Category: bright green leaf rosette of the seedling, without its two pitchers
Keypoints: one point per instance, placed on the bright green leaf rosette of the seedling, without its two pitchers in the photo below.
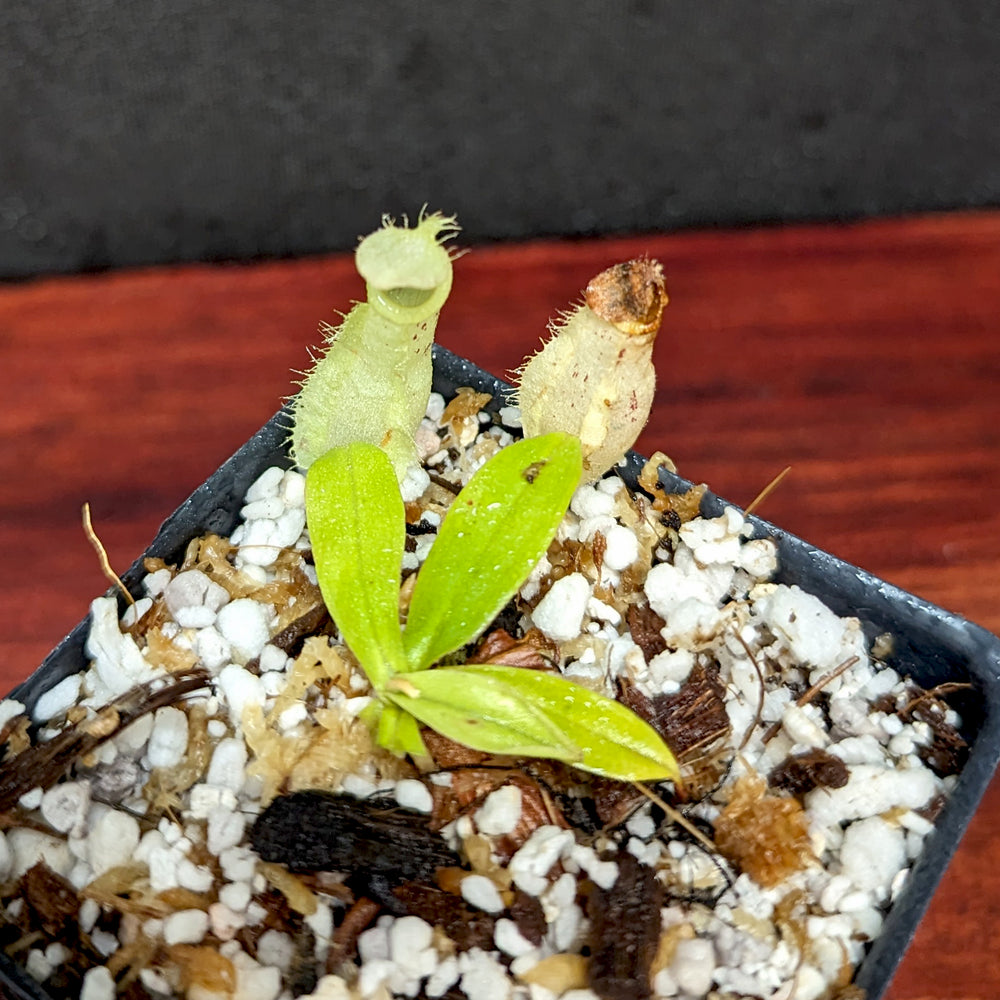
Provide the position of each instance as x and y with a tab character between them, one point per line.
496	529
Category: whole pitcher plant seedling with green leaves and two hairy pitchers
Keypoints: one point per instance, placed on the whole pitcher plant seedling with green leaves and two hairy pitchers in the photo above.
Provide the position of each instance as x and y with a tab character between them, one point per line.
354	423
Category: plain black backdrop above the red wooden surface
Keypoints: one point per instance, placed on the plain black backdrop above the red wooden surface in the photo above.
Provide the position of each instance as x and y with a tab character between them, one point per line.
134	133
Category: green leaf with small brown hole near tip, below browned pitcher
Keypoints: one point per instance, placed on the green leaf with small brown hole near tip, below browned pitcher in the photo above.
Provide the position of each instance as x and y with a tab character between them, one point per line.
495	531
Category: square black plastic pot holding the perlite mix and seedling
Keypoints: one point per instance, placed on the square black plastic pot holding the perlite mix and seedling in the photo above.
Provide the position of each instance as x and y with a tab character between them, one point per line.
932	645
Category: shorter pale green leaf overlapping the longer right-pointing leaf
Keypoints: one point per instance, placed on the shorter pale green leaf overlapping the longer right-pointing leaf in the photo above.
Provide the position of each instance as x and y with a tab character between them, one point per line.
481	712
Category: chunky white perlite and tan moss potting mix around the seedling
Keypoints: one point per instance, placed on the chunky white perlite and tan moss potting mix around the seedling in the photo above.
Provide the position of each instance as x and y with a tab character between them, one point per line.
266	710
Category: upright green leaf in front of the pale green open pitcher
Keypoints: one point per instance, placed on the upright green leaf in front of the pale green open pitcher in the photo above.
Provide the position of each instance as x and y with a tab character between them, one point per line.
357	527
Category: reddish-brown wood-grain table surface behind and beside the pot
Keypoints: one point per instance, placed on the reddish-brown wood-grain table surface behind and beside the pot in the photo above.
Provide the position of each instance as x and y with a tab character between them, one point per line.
866	356
